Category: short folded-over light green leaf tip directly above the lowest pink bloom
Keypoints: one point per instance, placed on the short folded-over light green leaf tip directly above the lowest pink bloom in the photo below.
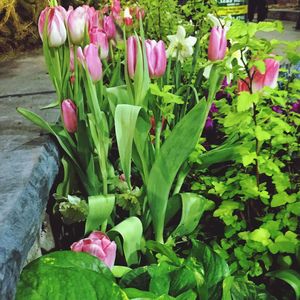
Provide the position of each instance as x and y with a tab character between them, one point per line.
100	208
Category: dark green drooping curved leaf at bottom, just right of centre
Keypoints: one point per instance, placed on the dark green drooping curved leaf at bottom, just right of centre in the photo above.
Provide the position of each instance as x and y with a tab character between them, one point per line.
215	267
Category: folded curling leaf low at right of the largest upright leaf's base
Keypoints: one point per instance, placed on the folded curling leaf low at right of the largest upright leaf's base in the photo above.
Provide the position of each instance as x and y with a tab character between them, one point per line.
193	206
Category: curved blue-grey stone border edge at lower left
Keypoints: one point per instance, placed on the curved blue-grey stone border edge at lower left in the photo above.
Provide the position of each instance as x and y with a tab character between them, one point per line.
26	177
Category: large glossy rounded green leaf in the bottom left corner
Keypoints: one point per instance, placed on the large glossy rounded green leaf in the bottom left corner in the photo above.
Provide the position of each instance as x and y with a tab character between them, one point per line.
68	275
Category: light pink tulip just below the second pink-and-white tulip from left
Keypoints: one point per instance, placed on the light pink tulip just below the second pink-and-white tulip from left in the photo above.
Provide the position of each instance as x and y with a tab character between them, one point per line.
91	60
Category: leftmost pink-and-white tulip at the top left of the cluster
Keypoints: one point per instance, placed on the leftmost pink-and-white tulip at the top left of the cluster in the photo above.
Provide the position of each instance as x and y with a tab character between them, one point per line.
56	31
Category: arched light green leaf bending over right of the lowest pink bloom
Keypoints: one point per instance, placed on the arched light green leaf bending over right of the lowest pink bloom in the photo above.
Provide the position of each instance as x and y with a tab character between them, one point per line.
131	230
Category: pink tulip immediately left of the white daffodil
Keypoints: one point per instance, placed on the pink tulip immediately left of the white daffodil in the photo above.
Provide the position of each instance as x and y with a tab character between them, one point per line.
157	58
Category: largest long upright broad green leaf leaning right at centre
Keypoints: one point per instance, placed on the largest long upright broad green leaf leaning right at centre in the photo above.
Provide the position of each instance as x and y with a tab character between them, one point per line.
173	154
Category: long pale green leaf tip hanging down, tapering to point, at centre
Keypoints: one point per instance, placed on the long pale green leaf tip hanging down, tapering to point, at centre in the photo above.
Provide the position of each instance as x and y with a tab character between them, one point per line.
125	124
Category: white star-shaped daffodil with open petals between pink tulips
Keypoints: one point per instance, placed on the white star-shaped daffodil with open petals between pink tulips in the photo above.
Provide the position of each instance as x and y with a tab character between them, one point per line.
180	45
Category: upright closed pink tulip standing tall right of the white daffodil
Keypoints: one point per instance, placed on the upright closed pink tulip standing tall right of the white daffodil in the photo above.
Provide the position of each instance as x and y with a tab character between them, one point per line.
217	44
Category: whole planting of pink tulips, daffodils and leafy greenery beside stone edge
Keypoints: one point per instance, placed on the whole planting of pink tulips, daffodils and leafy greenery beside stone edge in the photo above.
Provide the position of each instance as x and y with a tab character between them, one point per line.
179	157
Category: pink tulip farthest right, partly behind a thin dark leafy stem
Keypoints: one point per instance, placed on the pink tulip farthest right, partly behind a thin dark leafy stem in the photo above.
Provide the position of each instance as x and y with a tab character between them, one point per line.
268	78
